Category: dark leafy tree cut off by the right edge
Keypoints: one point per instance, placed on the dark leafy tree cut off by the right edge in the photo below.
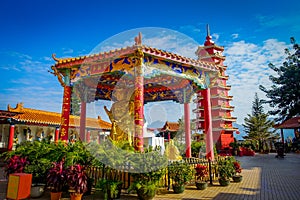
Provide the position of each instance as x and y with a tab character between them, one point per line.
284	95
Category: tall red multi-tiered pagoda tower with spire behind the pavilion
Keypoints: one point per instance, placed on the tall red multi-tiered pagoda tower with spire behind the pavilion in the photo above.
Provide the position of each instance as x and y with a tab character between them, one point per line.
221	109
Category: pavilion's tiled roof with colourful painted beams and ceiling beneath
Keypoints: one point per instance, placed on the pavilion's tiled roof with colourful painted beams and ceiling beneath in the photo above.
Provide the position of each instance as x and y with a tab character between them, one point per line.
167	76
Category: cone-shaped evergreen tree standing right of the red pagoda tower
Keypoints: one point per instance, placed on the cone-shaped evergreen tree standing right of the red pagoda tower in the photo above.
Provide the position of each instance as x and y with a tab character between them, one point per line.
257	125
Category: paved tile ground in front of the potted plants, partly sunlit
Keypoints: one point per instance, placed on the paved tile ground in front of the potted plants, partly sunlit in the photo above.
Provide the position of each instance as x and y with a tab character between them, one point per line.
264	177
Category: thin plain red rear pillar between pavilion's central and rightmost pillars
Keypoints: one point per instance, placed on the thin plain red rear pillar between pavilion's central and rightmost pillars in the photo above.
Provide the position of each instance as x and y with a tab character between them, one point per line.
187	127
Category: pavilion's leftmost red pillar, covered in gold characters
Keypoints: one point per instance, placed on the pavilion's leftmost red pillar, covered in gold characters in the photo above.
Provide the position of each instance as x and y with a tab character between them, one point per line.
65	115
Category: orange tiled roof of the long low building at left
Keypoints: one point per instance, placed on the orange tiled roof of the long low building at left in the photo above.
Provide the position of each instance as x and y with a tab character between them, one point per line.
41	117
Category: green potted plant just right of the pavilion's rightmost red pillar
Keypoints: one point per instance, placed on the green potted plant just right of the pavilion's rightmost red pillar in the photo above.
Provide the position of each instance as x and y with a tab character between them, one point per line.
226	170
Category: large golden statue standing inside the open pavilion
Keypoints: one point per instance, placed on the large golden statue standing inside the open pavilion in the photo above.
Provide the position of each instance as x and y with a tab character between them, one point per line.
121	115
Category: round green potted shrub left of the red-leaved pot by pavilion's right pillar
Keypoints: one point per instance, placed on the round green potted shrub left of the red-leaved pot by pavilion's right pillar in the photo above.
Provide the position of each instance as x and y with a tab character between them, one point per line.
180	172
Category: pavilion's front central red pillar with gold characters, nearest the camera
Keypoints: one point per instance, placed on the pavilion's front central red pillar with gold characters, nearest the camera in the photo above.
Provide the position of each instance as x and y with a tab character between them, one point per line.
139	104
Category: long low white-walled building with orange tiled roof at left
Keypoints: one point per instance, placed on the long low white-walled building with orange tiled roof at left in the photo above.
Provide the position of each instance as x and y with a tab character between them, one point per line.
28	124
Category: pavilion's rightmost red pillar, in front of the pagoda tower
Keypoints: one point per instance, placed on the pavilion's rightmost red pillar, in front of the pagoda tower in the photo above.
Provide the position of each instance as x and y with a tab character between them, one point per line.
208	124
